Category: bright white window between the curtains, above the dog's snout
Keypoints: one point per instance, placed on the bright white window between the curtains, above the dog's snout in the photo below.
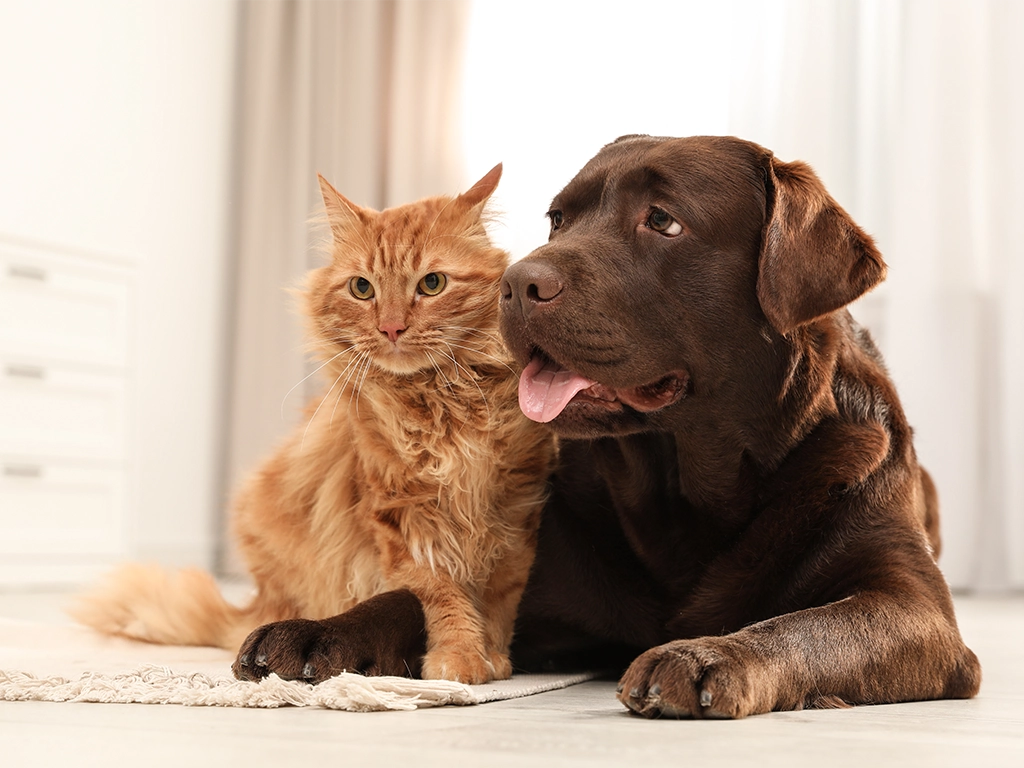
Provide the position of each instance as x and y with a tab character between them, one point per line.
547	84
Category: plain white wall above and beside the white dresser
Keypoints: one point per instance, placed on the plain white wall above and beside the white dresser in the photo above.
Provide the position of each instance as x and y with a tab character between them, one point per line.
115	138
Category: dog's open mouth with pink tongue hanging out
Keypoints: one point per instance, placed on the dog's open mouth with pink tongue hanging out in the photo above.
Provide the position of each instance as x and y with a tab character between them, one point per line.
546	389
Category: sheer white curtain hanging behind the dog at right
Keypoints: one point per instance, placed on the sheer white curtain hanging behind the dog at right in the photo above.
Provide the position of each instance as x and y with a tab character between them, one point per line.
913	112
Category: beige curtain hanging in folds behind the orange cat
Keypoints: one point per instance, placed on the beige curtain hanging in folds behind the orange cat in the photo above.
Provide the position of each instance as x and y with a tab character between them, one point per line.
364	92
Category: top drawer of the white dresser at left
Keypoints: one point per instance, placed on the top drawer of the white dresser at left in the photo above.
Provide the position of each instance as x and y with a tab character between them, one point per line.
53	308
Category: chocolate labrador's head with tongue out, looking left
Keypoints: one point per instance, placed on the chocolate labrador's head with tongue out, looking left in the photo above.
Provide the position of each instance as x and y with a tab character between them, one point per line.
673	267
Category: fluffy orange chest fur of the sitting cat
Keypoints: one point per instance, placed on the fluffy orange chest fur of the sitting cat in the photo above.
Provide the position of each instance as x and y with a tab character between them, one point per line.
432	461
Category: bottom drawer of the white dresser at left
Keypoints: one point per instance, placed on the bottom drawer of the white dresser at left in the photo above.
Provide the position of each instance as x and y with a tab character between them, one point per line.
48	508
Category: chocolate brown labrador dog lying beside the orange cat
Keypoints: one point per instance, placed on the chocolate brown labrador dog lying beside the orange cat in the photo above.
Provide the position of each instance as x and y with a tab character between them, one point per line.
739	509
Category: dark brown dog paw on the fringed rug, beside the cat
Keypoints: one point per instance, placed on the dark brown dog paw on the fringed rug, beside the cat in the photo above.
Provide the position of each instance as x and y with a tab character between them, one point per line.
385	635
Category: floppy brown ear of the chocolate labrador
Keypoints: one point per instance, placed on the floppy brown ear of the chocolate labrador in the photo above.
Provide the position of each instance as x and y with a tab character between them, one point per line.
815	260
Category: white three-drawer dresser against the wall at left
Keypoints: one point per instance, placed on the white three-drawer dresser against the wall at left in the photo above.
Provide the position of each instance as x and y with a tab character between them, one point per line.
65	414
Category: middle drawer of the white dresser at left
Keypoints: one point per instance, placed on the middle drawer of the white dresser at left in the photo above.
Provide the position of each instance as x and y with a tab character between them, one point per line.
57	411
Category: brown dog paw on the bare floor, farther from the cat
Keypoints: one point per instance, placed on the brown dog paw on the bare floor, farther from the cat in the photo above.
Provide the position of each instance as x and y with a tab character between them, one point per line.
704	678
